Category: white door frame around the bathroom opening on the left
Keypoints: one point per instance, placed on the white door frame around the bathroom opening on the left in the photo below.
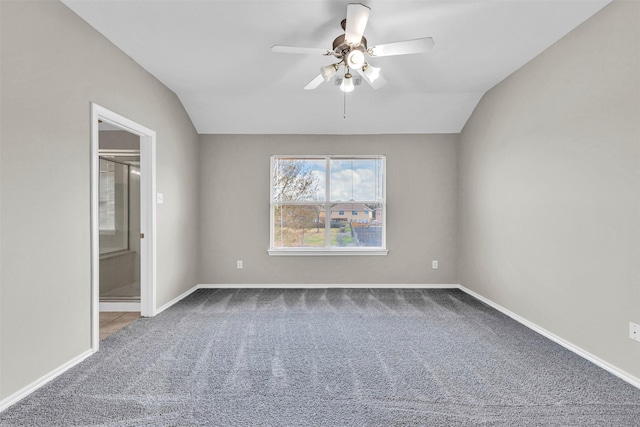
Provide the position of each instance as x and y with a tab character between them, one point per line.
147	215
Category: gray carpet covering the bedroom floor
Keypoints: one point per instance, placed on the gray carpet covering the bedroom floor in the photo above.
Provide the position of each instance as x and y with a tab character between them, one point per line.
330	357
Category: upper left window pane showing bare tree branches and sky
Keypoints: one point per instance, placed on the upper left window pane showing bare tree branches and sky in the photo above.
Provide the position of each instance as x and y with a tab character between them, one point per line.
299	180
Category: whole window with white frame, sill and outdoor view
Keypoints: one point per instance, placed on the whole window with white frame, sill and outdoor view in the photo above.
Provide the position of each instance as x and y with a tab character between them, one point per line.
310	196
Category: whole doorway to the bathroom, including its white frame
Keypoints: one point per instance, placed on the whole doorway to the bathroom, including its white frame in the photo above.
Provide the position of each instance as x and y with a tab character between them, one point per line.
123	217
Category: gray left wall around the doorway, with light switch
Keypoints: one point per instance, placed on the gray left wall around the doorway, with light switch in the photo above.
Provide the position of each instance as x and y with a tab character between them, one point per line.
53	66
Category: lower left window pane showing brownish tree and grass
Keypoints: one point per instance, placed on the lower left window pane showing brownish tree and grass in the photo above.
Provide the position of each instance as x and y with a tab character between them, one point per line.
298	226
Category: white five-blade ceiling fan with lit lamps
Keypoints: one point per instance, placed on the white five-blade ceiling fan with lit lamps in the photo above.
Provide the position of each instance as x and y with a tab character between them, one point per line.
351	48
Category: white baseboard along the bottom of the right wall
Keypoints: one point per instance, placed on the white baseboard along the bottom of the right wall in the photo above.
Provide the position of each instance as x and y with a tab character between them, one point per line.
558	340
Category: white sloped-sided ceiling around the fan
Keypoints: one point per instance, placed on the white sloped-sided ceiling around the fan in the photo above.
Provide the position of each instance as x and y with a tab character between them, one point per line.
215	55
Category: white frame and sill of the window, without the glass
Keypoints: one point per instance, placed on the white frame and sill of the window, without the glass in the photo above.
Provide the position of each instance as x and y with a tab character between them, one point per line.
328	250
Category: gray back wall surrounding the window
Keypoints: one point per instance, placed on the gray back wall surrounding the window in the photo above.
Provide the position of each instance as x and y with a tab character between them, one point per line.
421	211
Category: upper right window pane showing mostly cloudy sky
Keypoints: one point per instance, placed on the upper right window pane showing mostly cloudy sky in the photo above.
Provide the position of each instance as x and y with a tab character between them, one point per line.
356	179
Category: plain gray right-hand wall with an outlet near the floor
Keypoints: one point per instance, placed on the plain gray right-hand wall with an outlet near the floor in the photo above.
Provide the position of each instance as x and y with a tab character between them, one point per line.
550	189
